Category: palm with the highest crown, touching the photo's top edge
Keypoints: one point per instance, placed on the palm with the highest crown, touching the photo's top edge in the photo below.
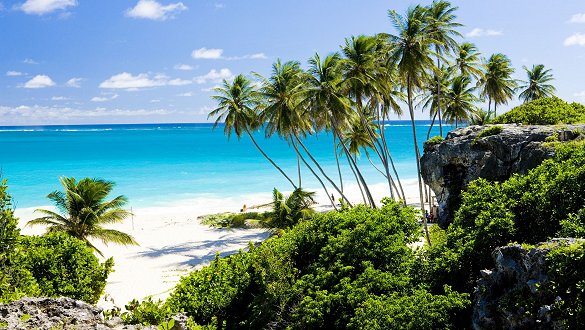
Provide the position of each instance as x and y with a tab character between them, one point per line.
442	28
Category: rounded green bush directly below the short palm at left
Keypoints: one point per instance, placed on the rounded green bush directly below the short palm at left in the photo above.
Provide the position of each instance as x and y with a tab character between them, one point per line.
64	266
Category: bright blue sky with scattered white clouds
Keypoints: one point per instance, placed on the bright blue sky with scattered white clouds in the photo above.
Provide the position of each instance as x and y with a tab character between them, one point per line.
131	61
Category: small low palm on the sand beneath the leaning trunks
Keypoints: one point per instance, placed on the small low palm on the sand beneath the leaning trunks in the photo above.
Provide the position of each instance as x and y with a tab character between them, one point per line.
290	210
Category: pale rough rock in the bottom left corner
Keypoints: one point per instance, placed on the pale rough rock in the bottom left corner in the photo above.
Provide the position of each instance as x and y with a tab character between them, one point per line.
65	313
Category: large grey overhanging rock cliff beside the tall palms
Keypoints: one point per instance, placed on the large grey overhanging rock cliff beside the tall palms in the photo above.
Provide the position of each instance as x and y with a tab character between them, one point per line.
465	155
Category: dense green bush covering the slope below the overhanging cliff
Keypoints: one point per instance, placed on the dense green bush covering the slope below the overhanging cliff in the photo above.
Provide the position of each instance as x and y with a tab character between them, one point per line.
526	209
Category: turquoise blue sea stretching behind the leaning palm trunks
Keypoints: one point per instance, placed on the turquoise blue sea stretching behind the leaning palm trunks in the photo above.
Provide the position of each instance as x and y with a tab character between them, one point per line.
164	164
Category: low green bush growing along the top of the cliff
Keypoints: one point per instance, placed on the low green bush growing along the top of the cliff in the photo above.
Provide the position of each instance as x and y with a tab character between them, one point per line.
544	111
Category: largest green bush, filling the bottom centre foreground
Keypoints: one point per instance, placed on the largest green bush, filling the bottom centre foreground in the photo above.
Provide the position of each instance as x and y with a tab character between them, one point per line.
328	273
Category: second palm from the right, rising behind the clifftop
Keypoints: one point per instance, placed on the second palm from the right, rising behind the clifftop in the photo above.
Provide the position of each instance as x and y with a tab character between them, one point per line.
497	83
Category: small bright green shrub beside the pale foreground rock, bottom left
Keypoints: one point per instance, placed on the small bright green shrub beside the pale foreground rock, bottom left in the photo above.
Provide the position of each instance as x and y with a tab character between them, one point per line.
147	312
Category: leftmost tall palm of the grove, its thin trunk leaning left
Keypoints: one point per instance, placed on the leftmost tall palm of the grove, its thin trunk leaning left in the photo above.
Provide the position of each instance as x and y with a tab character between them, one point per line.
237	108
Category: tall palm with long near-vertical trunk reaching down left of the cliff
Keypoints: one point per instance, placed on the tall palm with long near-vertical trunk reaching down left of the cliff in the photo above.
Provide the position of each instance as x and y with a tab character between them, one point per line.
413	58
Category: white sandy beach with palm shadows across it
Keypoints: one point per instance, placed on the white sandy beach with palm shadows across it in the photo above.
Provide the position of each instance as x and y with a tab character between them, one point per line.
173	242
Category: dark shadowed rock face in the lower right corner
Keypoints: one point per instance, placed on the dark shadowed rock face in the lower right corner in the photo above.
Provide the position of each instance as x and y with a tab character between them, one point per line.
508	296
